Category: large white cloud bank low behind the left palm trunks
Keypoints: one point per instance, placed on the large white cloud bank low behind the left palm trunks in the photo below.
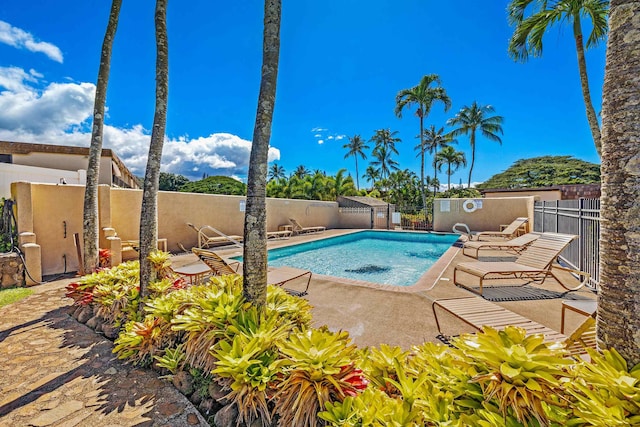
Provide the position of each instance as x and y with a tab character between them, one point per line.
61	114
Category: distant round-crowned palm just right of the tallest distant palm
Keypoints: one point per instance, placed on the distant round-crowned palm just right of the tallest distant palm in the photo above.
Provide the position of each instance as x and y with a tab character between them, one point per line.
473	118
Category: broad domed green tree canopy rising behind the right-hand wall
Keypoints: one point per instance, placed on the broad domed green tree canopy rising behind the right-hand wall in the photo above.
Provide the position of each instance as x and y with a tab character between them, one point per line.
544	172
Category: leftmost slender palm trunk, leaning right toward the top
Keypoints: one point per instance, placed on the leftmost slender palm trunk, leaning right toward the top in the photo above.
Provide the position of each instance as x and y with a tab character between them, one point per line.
90	229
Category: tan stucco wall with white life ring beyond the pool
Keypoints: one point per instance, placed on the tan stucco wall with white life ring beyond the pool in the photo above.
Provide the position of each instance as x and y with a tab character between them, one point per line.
494	212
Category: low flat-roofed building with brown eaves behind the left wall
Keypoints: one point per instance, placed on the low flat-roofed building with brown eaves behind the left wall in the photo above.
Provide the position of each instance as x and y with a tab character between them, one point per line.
60	164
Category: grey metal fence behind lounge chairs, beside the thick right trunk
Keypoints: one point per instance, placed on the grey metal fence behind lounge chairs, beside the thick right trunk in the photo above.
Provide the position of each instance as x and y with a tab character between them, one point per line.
580	217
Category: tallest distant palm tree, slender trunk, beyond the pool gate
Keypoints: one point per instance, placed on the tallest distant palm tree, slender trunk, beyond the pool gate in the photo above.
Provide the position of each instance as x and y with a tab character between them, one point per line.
423	96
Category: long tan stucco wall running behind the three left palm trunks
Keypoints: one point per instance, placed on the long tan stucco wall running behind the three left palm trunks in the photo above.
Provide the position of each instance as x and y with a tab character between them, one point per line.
48	210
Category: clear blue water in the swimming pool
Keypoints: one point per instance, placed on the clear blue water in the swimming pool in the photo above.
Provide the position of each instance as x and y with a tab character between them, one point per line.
386	257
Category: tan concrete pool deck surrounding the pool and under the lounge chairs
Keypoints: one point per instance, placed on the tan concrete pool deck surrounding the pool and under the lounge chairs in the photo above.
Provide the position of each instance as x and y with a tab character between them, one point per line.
374	314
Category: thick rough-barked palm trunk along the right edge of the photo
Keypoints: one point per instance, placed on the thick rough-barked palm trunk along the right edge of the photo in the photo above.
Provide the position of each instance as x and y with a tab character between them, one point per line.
618	302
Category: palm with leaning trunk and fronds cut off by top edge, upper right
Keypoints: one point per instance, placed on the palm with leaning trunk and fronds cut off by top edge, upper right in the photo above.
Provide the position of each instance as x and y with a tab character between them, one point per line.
527	37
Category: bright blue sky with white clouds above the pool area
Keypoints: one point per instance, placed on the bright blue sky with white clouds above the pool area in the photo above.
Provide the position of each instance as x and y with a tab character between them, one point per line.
341	65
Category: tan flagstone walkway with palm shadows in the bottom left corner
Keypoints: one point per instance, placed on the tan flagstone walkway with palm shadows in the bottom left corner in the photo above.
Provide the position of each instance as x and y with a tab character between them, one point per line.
55	371
